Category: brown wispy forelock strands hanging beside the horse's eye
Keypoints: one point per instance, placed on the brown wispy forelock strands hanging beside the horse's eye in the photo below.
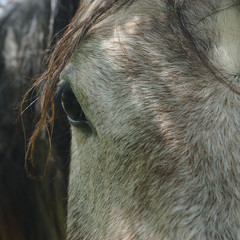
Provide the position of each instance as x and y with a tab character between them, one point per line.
90	13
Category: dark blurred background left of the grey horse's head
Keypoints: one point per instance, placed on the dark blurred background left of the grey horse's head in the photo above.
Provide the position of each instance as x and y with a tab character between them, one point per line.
30	209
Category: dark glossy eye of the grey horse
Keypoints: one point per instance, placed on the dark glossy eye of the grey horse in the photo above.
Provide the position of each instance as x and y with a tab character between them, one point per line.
71	107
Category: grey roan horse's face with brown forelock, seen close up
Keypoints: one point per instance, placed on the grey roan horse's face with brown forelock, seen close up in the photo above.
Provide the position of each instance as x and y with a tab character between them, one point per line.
151	92
